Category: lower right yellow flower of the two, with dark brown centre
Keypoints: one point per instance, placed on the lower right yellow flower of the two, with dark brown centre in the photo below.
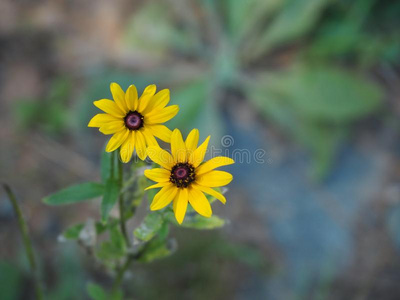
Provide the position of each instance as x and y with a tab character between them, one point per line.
183	178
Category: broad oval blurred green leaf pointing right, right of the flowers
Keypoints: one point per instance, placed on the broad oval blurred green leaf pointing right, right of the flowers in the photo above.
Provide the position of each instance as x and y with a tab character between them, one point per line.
327	94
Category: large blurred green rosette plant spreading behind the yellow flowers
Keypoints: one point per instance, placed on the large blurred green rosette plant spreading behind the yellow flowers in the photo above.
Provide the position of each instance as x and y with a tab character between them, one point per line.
310	94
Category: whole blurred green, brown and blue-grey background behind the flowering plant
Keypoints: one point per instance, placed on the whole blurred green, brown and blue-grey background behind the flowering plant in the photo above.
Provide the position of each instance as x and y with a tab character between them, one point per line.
315	84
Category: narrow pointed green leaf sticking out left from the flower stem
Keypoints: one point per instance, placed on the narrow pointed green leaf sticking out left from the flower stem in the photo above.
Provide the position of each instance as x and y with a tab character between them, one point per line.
75	193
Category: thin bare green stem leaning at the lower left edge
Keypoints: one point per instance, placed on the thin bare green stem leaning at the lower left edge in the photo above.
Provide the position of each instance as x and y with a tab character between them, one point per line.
26	240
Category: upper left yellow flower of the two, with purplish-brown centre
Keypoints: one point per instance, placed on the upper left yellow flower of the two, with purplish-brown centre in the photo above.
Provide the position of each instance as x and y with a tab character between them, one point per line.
134	122
